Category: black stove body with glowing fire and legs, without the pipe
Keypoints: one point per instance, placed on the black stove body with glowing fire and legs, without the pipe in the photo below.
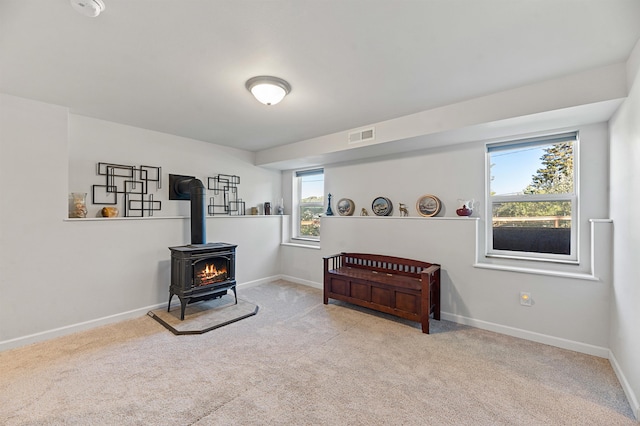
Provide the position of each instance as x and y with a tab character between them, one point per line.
202	272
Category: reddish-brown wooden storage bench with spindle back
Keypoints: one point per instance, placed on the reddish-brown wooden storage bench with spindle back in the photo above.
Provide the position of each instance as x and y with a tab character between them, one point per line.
405	288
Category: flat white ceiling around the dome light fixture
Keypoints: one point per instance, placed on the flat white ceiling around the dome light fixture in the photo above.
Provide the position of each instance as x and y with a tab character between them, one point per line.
179	66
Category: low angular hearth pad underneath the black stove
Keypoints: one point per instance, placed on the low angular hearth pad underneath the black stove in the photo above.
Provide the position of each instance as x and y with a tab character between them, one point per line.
202	317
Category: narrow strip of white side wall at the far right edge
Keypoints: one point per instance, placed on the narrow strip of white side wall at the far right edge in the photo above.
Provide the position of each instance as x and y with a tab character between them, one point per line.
625	188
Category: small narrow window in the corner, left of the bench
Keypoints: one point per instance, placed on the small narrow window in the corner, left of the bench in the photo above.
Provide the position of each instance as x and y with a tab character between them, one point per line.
309	197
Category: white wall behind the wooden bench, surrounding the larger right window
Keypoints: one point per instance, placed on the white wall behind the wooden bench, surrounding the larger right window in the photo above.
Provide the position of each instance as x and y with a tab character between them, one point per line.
567	312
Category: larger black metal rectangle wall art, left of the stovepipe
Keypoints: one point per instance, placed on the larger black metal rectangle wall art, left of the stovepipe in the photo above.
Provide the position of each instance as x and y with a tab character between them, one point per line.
132	182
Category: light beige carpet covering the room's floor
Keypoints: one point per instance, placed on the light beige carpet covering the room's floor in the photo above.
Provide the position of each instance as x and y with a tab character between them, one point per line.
299	362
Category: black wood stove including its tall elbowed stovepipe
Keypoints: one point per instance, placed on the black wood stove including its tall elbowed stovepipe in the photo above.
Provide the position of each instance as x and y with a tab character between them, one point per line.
199	271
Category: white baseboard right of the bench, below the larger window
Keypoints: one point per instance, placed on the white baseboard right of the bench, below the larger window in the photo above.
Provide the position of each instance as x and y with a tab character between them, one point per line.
529	335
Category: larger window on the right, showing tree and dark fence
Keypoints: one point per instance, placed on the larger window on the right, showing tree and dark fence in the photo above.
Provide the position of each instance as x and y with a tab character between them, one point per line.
532	199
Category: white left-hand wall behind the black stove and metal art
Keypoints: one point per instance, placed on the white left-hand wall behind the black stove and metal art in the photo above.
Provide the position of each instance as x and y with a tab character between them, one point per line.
59	275
